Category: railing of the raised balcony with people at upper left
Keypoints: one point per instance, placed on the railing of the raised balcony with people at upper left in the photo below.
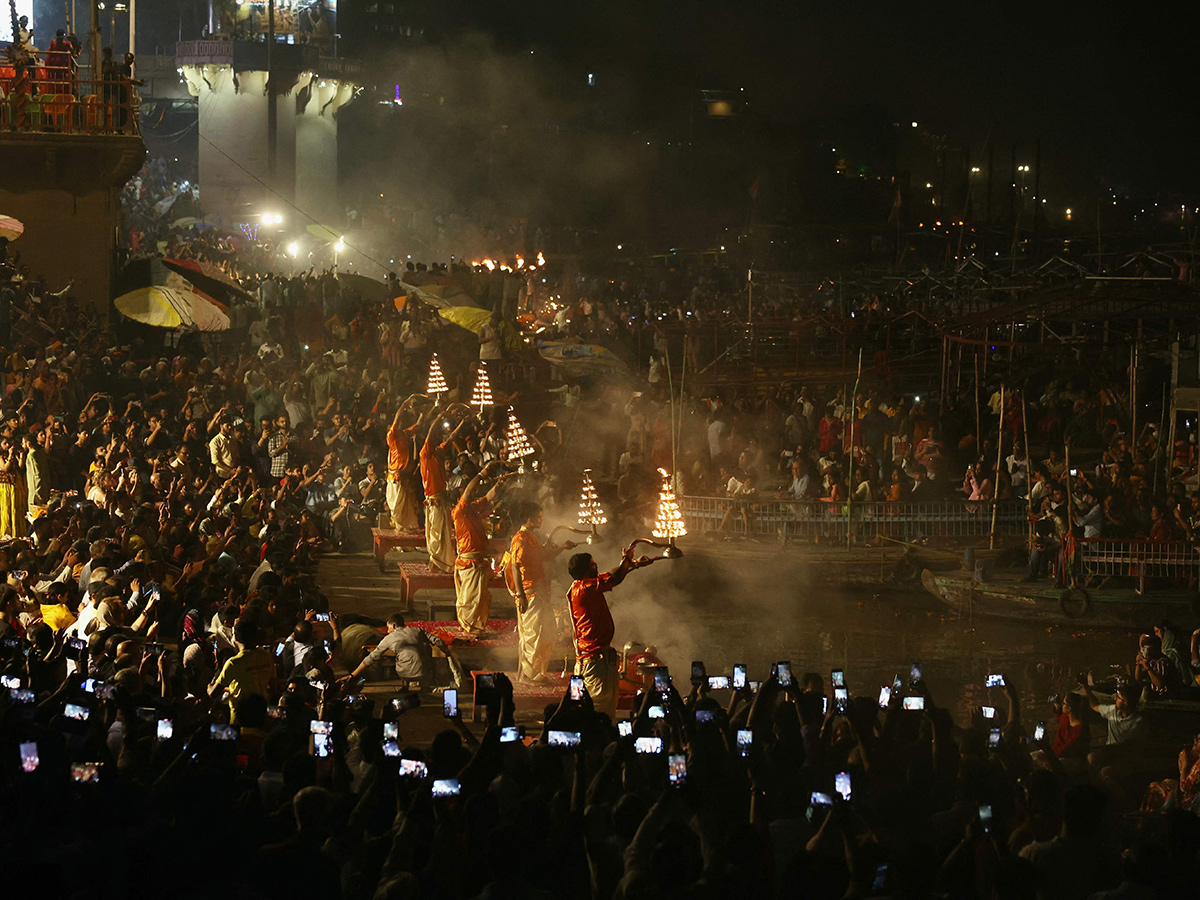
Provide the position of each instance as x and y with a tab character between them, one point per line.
47	99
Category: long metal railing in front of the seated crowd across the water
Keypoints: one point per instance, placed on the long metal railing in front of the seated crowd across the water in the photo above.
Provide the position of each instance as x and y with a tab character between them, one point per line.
811	520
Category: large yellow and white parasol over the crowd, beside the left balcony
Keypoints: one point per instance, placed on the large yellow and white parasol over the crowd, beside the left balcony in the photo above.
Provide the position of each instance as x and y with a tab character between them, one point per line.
159	297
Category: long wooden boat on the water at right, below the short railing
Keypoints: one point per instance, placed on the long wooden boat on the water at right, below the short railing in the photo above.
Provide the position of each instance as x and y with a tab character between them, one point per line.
1005	596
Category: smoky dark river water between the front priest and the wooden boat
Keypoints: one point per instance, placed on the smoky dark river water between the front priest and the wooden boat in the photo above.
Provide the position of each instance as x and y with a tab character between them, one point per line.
728	611
